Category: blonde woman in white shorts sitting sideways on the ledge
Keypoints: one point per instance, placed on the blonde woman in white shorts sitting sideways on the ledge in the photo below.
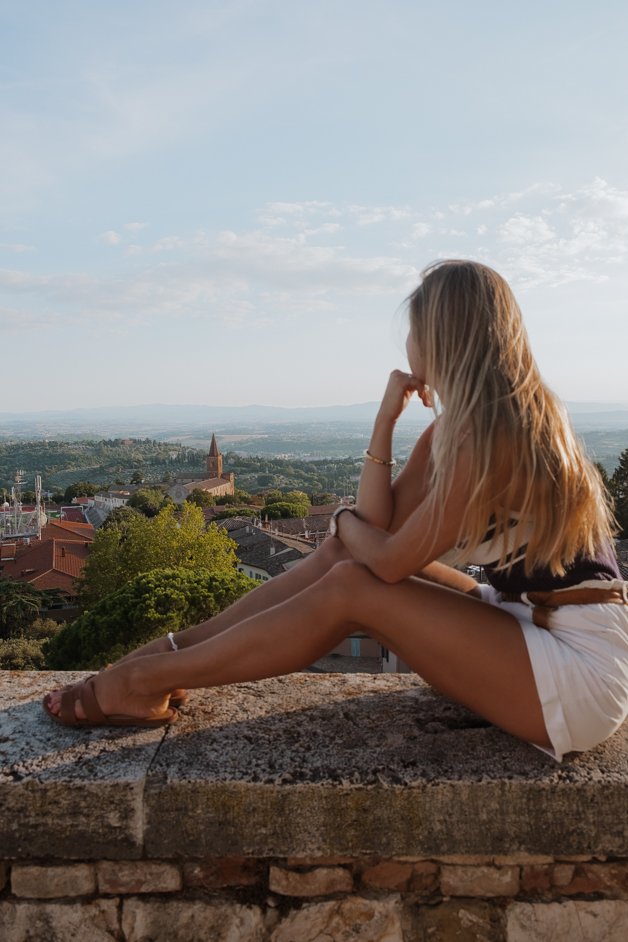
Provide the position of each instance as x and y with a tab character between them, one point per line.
497	479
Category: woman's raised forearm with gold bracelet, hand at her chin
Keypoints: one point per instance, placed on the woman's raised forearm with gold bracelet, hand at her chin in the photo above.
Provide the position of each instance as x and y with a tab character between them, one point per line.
375	502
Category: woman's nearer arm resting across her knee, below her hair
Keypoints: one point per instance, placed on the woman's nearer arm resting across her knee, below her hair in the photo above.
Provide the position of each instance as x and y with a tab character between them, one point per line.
422	538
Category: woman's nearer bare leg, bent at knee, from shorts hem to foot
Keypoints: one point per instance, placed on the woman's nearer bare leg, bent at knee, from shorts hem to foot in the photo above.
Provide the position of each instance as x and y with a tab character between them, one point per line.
469	650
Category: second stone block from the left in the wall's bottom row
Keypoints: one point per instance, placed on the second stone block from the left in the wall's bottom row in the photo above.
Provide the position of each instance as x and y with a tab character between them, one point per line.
191	921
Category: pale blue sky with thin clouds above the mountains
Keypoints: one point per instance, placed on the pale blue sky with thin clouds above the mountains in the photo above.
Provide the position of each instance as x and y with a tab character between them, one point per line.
227	201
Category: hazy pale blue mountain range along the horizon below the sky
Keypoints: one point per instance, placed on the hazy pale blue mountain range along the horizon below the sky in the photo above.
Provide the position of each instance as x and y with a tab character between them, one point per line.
158	419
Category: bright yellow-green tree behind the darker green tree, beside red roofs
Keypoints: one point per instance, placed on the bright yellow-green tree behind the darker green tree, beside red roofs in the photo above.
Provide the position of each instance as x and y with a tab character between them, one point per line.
120	553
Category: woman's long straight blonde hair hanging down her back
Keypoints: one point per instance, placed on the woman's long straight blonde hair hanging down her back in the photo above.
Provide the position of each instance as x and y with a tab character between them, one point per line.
470	335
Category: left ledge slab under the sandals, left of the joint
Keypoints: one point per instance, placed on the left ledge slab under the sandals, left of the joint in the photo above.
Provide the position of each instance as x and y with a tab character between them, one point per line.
79	791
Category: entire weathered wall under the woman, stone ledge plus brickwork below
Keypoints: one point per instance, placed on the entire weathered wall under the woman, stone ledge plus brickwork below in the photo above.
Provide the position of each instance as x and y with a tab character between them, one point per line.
312	807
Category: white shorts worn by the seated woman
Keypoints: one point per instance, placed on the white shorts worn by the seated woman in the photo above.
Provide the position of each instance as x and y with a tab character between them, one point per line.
581	670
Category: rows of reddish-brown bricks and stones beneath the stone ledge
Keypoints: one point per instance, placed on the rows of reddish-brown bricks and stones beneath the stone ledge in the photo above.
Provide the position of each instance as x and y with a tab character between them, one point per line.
245	899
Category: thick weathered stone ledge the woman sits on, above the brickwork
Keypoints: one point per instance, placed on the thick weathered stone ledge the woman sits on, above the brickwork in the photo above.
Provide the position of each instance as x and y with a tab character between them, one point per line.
303	766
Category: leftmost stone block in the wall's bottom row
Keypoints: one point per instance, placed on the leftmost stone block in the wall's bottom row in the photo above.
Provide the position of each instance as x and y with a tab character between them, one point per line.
59	922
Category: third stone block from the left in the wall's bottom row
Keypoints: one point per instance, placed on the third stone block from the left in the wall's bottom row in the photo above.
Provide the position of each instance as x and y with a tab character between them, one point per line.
349	920
